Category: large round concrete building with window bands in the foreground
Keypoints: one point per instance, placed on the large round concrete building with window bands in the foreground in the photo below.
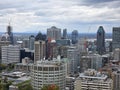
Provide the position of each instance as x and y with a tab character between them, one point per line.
48	73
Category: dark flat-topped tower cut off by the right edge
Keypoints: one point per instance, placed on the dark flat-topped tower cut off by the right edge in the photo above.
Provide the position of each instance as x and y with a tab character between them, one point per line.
116	37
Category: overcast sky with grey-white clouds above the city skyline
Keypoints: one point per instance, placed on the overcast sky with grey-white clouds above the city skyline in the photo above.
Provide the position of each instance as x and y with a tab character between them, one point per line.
38	15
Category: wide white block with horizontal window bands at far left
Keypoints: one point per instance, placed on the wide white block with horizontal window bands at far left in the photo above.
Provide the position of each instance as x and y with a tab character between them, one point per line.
10	54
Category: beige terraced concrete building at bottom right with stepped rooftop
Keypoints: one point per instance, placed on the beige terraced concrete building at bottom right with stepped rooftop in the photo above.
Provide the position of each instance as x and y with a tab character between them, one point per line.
93	80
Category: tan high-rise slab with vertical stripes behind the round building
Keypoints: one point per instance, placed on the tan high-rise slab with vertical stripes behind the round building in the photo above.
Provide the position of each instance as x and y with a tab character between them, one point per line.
39	50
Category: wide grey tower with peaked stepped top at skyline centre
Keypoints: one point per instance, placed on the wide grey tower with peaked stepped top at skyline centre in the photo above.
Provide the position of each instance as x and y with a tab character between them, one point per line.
54	33
